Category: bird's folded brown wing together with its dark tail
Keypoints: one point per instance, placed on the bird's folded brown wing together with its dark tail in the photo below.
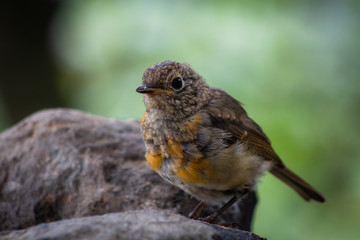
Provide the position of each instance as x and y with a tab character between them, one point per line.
245	129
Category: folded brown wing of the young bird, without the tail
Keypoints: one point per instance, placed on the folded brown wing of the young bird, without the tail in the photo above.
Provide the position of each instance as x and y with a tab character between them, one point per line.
228	114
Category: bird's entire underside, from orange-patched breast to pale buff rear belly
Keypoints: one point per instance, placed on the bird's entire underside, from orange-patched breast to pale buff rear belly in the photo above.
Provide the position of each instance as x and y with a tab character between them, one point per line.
192	152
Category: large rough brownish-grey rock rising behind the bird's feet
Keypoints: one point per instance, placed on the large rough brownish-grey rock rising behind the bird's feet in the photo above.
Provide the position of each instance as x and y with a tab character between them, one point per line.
63	164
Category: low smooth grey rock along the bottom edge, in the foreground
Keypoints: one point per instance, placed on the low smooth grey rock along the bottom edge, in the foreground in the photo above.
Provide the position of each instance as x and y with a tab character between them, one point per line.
134	225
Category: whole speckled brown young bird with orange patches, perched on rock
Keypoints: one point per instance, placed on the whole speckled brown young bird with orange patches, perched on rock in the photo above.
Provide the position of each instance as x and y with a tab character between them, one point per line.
201	139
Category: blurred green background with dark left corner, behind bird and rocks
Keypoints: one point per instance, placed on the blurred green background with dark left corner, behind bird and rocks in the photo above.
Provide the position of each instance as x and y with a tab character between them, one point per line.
295	65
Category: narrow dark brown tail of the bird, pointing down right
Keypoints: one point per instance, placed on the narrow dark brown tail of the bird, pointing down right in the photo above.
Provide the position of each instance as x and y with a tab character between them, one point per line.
296	183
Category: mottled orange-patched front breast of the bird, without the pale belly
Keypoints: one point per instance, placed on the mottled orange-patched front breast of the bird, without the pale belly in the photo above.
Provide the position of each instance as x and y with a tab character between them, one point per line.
171	146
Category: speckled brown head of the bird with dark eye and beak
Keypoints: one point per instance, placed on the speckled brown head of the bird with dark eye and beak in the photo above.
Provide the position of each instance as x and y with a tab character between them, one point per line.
173	87
